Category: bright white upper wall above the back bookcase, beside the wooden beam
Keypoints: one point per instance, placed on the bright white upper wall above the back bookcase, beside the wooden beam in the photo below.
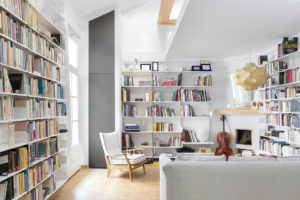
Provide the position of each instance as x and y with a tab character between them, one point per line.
142	37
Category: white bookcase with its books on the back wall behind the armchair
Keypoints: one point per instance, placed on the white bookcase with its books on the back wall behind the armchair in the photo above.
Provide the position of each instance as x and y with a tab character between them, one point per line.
137	83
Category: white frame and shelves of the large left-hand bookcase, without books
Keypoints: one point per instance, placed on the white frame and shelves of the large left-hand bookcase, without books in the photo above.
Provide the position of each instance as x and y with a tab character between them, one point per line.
57	177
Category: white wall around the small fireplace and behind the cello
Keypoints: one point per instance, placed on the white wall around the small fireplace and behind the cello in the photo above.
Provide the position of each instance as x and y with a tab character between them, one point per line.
223	97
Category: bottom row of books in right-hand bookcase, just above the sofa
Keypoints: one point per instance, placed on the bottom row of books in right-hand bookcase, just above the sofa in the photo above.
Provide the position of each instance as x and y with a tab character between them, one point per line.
278	148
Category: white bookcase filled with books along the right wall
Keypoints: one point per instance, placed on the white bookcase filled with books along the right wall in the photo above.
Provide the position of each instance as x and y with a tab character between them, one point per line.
280	98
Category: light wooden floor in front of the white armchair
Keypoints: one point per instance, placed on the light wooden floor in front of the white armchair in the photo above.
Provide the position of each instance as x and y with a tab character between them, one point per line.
92	184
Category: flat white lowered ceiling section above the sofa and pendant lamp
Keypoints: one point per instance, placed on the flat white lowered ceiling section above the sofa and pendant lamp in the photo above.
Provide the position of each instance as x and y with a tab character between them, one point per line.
226	28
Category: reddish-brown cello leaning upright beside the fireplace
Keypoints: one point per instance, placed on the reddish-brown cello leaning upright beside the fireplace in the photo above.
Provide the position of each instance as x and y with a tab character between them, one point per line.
224	140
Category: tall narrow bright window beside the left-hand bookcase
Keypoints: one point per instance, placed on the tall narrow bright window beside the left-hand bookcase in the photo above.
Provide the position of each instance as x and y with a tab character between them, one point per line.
73	64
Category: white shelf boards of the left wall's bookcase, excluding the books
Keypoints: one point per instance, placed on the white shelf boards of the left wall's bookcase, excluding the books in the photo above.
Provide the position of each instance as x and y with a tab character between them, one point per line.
63	119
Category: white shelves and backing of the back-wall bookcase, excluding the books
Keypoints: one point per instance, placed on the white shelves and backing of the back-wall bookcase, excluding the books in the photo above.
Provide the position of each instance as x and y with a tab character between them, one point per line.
202	109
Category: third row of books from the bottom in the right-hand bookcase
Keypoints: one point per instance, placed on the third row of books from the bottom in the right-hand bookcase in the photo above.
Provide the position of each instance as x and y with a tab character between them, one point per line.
284	120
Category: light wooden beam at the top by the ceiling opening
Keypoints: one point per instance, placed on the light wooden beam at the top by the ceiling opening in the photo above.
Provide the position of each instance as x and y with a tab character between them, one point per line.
165	12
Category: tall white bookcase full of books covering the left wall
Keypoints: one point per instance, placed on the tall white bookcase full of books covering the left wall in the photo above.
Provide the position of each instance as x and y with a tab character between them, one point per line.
34	109
